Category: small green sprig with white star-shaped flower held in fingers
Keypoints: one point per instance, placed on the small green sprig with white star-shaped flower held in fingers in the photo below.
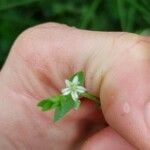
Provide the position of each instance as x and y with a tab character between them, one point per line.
69	97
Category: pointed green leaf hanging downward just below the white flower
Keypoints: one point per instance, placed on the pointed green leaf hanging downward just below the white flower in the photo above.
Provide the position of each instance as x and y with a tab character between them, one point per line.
66	103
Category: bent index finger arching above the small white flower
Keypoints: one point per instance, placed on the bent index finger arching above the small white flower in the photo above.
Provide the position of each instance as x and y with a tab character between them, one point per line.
47	54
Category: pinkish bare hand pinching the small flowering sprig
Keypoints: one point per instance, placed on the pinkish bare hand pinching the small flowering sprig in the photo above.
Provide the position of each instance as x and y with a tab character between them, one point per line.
116	66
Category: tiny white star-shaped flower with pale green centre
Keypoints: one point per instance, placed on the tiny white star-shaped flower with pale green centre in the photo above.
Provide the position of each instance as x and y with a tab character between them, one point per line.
73	88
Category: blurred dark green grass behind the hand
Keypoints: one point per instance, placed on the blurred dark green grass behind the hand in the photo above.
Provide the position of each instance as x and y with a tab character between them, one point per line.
105	15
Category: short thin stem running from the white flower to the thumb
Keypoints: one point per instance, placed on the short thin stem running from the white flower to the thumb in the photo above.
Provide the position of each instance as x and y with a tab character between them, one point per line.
91	97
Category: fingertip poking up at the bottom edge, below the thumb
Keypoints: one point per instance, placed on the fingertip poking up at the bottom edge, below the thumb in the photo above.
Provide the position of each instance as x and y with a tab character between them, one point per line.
107	139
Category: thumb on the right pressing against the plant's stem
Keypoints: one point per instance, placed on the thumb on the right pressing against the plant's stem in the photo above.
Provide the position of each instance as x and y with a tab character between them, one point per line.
126	104
